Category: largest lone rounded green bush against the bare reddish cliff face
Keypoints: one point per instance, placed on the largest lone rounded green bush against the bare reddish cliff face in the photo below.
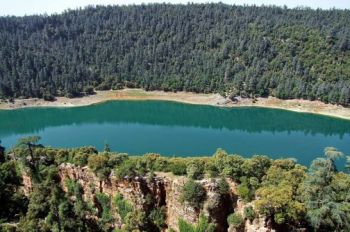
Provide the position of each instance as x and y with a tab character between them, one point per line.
193	193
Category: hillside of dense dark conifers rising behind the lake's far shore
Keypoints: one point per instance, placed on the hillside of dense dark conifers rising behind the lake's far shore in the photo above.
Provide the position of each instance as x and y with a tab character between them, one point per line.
247	51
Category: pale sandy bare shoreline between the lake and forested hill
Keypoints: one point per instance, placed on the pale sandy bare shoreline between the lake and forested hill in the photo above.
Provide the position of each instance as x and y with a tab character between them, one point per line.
296	105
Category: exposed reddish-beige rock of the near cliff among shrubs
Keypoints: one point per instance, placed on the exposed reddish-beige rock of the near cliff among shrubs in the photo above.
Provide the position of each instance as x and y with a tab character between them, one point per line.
165	190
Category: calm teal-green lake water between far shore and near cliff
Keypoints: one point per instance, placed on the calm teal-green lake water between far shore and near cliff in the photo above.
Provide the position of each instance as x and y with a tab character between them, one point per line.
138	127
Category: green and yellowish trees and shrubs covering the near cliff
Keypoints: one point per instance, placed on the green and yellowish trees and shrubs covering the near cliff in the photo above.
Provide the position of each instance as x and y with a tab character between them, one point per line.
287	194
